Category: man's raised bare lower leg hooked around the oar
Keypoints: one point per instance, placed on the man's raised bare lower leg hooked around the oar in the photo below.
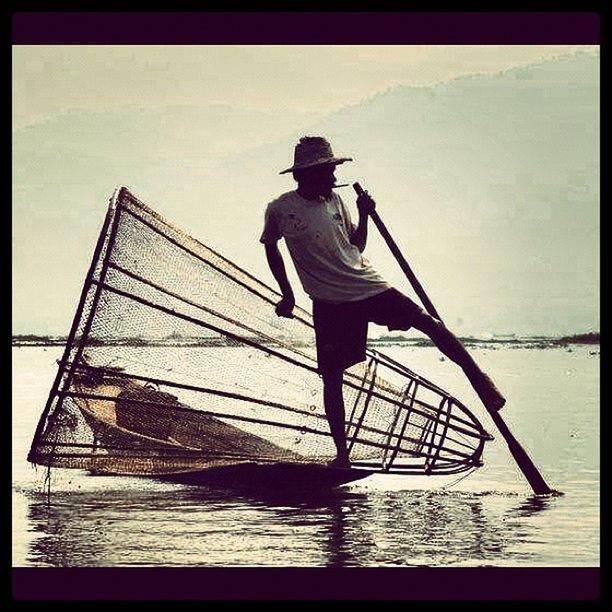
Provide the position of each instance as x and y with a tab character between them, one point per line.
445	340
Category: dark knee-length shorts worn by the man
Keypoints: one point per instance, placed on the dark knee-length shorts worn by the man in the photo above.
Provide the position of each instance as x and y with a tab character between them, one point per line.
342	329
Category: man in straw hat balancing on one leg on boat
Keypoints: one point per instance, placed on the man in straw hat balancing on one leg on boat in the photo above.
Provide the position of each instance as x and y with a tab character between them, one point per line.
347	292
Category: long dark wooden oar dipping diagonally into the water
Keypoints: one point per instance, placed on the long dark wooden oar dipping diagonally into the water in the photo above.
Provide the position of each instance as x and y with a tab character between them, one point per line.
526	465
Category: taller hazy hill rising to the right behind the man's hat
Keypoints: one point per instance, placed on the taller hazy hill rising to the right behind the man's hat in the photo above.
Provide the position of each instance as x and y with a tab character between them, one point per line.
489	185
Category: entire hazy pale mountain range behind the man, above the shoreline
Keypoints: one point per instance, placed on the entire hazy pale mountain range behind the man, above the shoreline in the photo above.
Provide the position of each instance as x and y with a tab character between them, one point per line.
488	183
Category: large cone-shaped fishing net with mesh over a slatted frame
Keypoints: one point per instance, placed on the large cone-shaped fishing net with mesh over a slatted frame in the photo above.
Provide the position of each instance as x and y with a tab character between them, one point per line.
177	362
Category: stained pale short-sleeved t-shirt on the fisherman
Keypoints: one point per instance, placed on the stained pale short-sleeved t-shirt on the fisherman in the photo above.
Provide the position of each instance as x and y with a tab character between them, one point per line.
317	234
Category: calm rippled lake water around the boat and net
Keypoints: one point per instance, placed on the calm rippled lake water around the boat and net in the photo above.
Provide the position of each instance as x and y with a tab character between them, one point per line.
487	519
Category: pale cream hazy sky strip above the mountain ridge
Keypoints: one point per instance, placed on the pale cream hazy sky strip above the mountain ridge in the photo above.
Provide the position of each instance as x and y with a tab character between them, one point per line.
47	80
